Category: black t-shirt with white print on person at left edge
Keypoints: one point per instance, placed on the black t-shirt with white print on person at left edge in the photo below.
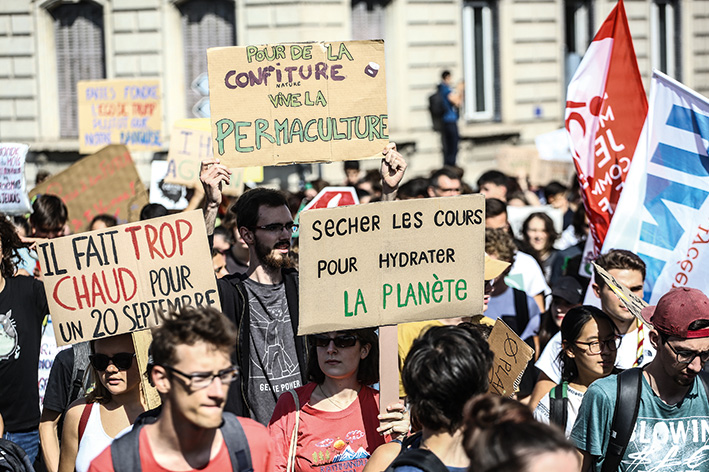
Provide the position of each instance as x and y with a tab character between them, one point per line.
23	306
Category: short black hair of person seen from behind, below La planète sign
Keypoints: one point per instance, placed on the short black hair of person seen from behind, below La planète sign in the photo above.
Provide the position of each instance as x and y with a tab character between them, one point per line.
445	367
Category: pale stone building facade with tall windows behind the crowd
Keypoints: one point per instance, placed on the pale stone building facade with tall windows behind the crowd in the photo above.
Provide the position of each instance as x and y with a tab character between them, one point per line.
514	56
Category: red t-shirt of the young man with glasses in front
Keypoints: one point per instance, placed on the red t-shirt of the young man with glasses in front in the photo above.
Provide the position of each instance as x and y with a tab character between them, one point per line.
260	445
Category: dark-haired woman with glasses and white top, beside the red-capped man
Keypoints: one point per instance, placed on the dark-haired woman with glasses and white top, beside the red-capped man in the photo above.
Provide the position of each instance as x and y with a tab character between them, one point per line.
589	344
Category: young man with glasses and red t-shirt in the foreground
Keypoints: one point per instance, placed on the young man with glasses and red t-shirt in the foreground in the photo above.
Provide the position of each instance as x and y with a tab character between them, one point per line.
192	371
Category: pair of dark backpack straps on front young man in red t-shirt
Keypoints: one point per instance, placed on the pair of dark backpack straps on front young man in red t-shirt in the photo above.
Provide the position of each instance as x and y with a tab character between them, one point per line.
125	453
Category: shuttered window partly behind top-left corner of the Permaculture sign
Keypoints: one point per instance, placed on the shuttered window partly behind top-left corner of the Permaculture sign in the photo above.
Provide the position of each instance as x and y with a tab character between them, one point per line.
205	24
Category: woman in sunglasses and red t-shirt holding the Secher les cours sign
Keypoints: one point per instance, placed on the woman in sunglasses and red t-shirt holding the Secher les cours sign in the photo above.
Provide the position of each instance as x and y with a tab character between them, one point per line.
336	419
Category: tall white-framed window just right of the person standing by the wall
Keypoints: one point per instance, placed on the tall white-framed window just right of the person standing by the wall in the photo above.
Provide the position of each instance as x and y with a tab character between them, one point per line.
480	48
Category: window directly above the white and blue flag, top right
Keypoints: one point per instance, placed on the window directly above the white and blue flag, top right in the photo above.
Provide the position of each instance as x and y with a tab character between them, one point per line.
664	30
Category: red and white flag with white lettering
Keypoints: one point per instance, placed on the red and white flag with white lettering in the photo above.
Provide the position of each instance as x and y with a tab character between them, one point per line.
605	111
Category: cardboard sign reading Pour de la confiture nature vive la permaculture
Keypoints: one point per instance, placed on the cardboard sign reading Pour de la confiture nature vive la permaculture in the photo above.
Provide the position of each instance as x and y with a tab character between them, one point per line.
304	102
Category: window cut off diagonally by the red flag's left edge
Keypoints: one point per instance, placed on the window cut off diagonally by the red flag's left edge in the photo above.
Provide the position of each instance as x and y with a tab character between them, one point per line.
578	34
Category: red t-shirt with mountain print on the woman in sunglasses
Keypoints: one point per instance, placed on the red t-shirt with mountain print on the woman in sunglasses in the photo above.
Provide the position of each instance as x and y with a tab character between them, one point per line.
327	440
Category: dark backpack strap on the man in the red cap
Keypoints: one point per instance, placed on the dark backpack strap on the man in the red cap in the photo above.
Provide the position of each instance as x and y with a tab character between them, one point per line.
627	404
